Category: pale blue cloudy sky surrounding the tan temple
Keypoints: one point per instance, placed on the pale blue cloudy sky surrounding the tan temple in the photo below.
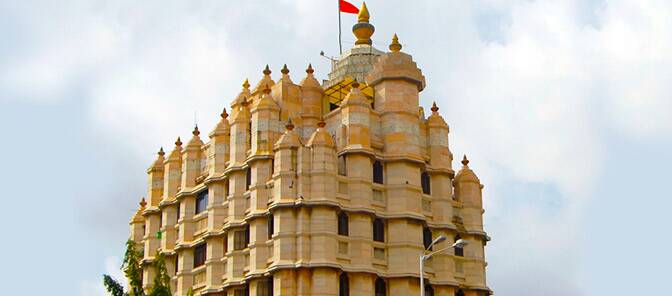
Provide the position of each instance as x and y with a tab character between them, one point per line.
563	107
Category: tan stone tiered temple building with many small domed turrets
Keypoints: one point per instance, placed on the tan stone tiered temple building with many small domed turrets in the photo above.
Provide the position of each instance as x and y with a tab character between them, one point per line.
332	188
